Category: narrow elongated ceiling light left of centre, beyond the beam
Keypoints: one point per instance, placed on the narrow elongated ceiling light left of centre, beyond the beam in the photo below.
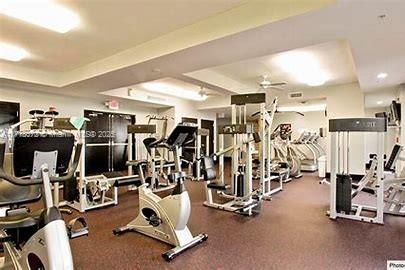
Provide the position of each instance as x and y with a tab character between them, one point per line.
172	90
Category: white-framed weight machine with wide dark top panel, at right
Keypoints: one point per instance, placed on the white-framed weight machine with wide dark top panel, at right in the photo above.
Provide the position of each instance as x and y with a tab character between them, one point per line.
340	142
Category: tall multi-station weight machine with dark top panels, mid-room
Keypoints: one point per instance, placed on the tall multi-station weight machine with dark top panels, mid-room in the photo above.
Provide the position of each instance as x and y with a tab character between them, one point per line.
242	197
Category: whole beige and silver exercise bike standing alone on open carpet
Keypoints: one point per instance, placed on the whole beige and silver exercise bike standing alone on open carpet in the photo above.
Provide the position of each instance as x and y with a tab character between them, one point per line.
166	218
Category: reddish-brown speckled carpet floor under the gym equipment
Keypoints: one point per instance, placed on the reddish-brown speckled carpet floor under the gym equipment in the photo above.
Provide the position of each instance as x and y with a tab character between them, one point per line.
291	232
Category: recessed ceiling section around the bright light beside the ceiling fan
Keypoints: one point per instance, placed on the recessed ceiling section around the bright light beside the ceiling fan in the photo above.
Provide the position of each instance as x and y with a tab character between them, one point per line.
334	58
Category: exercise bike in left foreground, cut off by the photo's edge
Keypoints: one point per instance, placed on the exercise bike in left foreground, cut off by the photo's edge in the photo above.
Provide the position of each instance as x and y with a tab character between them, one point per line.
39	239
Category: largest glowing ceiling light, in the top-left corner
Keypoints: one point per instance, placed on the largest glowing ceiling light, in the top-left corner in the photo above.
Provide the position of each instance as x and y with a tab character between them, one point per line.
44	13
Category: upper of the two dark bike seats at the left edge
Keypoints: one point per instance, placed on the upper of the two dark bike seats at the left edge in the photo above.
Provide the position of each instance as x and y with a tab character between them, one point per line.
11	194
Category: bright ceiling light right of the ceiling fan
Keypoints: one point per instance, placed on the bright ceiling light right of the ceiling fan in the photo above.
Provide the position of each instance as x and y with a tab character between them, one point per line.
304	66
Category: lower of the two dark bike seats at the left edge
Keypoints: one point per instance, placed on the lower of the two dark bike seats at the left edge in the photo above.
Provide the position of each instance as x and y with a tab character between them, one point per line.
21	220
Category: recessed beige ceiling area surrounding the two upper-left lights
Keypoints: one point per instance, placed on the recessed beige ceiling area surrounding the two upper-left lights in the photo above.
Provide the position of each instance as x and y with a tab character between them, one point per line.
107	27
